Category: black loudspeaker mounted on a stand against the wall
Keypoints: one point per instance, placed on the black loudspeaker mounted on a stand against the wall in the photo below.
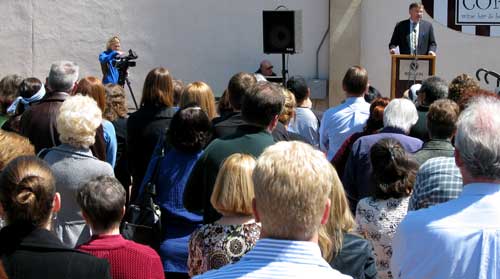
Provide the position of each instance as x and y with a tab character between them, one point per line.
282	31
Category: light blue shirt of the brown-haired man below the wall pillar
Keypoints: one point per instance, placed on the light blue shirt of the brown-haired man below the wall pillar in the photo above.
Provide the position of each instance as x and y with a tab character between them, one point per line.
340	122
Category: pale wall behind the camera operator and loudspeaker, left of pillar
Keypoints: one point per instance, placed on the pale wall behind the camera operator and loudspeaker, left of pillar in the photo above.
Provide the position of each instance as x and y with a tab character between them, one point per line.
196	39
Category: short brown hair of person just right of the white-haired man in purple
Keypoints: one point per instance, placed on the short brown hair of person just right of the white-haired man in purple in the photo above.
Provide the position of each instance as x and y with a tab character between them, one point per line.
442	119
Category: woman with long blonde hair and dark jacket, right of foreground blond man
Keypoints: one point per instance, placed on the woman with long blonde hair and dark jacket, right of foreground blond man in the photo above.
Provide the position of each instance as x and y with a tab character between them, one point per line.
346	251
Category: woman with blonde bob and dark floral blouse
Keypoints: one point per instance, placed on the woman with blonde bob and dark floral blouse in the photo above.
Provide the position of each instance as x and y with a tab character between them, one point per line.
235	233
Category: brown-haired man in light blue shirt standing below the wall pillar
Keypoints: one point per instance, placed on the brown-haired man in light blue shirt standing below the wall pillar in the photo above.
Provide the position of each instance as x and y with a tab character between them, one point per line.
340	122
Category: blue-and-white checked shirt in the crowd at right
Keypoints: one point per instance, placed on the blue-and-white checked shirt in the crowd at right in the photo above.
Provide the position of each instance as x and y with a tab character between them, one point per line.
438	180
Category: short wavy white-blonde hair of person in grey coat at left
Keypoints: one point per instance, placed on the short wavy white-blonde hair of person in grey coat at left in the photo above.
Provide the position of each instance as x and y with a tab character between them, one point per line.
77	121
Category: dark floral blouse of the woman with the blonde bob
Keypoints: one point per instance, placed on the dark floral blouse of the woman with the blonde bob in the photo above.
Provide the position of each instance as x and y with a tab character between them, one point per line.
213	245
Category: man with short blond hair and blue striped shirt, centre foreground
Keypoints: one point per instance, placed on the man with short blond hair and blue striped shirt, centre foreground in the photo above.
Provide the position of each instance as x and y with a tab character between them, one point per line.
291	202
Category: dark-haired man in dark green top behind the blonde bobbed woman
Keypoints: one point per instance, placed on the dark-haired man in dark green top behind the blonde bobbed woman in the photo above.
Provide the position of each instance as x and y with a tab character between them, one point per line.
260	110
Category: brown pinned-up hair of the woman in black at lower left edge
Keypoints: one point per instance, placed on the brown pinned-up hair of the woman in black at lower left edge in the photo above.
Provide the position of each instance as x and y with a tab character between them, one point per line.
27	192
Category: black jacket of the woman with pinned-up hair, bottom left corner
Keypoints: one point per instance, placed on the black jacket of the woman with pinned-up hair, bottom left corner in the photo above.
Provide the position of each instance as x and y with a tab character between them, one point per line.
28	252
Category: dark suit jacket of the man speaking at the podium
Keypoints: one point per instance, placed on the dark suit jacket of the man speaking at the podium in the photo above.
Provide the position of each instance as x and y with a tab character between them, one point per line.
401	38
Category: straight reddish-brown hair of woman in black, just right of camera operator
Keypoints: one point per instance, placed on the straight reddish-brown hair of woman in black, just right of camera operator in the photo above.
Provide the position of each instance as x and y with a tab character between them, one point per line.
158	88
